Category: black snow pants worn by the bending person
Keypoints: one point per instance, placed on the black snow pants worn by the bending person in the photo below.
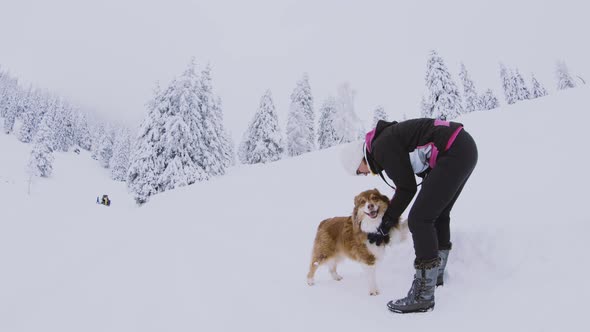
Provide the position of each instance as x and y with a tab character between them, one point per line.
429	217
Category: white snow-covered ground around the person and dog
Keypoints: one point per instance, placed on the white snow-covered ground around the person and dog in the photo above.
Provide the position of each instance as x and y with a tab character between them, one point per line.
232	254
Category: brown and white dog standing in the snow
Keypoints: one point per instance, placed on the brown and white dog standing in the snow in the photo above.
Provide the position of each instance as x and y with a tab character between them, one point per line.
341	237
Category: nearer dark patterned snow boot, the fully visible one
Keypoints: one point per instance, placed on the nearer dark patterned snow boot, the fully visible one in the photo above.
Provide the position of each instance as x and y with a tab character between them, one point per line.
421	296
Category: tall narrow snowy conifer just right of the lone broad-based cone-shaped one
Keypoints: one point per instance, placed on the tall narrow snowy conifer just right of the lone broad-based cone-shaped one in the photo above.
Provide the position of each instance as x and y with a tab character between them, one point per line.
300	121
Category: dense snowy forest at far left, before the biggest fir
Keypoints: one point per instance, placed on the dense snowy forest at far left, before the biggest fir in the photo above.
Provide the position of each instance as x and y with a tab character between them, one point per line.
52	124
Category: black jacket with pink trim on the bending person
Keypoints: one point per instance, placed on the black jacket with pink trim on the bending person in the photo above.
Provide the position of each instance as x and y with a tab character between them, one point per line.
390	148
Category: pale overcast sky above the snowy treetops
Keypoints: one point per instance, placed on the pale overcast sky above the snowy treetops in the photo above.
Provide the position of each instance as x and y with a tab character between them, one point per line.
107	55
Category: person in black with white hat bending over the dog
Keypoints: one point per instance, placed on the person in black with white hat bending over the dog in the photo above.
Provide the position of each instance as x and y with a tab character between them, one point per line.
444	155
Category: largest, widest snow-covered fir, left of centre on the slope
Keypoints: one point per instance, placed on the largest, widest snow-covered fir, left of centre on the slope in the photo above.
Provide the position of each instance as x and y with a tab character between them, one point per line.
171	146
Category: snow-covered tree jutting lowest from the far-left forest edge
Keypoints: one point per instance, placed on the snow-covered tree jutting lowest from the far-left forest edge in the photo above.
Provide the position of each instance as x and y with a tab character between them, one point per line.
41	159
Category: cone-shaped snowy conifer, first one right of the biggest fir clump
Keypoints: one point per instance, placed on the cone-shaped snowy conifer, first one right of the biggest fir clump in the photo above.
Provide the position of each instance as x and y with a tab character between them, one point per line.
262	141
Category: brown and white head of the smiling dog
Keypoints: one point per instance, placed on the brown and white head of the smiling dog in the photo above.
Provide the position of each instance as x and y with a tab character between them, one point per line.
369	207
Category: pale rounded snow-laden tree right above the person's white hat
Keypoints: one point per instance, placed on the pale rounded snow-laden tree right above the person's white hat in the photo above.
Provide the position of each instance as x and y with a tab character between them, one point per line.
347	124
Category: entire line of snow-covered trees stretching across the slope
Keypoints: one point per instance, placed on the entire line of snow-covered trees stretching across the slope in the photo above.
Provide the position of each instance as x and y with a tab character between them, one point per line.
182	139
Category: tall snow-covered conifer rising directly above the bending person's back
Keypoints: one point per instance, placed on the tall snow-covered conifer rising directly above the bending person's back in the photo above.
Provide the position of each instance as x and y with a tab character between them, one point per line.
442	99
